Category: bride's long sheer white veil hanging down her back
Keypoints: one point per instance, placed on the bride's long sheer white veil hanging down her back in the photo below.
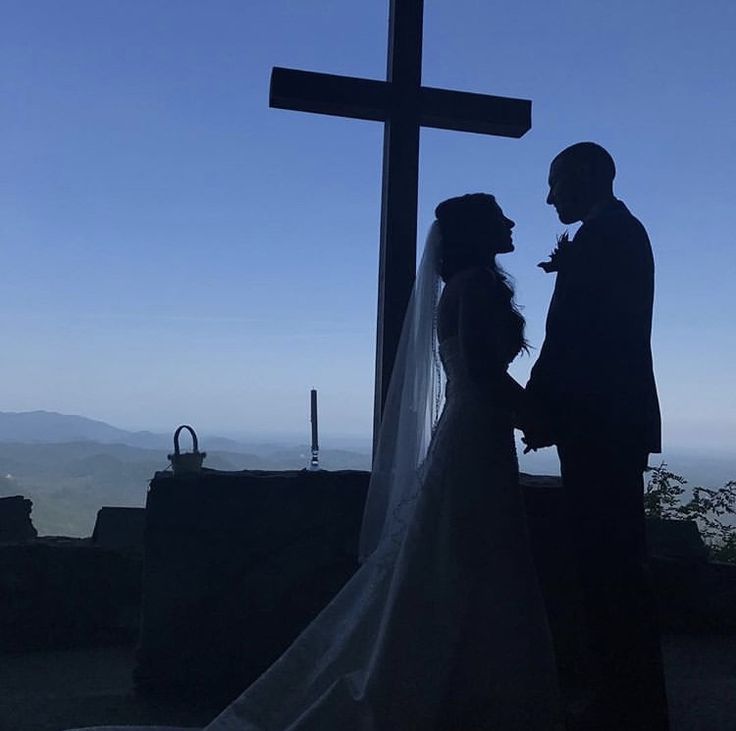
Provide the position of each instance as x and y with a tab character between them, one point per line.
412	408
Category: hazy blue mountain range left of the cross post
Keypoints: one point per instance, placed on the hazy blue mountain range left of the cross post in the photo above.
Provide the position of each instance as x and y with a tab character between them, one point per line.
70	466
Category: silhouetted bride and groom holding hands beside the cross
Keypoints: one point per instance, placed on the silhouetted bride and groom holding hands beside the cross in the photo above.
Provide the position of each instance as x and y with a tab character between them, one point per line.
443	627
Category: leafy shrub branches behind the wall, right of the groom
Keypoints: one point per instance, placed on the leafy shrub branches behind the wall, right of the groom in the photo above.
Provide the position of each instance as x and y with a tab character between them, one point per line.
712	510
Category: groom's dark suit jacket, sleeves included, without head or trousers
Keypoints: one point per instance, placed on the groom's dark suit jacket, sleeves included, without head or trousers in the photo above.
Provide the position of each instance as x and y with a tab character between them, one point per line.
593	379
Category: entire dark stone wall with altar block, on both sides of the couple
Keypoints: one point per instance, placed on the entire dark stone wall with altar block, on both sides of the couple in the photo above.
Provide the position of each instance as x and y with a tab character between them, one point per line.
237	563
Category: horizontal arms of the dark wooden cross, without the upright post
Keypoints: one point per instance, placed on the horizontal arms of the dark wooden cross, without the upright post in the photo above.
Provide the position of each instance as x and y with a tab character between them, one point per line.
346	96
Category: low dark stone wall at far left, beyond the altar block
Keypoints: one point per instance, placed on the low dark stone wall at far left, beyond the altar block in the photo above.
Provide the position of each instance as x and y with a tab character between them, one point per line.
69	592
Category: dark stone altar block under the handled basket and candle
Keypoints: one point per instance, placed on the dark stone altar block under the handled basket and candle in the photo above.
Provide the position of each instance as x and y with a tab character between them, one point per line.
236	564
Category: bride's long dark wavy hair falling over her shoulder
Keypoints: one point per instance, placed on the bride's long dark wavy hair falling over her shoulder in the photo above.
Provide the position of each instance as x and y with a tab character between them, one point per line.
462	221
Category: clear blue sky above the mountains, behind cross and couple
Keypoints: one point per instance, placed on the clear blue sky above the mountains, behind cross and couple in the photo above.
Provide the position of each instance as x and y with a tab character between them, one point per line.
174	250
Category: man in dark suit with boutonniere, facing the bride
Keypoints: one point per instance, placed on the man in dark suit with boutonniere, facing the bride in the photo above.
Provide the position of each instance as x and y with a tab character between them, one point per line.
592	394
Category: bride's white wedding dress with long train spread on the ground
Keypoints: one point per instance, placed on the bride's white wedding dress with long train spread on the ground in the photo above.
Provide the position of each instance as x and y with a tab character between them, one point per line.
443	627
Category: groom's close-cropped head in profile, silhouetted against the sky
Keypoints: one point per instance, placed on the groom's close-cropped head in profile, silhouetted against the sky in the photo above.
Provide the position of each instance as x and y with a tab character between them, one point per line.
579	177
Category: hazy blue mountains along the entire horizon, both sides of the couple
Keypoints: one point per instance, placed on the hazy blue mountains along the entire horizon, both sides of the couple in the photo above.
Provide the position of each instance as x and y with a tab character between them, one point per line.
70	468
